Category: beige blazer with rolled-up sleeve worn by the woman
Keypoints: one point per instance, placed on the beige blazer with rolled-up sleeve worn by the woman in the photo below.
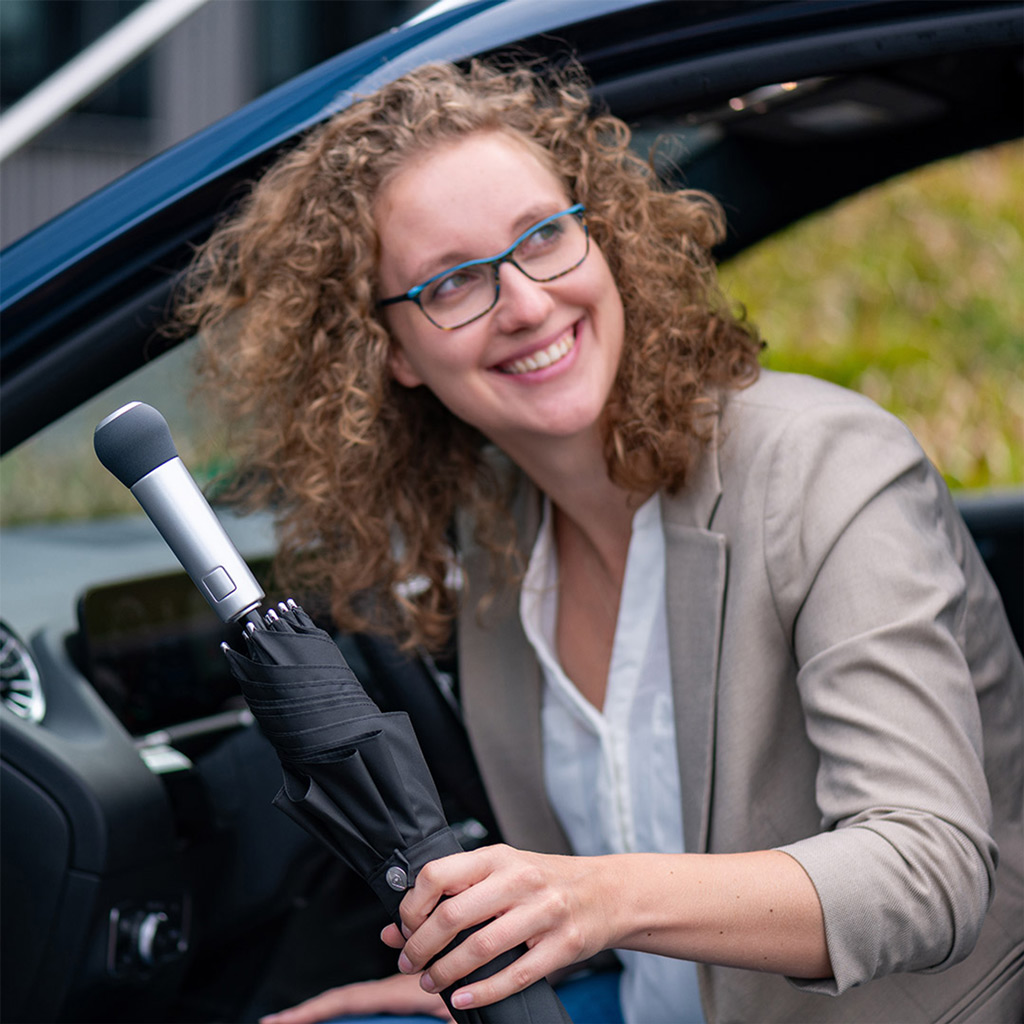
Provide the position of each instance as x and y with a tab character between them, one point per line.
846	689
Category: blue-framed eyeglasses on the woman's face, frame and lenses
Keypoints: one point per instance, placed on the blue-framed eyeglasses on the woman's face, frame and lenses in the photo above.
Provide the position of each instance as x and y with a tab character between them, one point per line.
464	293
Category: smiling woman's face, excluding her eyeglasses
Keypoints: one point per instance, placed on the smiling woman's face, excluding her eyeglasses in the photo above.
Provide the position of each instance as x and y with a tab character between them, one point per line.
472	200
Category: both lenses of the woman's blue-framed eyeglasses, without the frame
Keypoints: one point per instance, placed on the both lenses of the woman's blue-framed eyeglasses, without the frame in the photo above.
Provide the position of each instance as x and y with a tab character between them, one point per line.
549	251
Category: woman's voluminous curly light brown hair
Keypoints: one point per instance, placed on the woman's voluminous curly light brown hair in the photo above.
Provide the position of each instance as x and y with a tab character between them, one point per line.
366	477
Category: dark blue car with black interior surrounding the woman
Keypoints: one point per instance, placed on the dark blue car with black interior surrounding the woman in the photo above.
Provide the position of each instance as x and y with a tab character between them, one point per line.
145	875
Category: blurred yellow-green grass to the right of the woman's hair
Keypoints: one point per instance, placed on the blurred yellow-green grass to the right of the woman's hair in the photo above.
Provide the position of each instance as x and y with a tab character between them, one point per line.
912	293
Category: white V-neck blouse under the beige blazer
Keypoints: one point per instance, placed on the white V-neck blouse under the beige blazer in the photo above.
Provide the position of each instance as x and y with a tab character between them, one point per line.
613	776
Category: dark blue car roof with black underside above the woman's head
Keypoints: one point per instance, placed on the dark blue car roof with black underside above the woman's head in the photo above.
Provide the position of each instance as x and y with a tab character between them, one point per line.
81	296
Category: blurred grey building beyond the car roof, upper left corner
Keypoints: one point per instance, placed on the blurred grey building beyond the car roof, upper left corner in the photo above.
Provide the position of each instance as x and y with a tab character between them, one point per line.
225	55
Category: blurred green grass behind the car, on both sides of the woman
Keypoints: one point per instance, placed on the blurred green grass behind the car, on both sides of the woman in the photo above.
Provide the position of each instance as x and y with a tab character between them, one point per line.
912	293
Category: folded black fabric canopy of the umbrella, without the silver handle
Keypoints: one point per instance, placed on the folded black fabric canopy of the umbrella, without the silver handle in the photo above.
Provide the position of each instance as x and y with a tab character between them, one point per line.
357	781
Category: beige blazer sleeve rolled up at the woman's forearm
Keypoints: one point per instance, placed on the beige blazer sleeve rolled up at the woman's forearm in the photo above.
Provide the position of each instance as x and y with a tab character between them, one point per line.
866	559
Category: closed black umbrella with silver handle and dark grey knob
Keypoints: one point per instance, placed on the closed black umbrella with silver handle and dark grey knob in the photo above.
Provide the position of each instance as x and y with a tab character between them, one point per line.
355	777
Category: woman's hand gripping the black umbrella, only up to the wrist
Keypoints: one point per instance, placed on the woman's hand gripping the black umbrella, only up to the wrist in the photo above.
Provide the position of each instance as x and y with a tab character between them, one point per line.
557	906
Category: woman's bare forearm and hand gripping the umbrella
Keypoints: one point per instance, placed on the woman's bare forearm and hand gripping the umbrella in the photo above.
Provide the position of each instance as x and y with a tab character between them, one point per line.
757	911
